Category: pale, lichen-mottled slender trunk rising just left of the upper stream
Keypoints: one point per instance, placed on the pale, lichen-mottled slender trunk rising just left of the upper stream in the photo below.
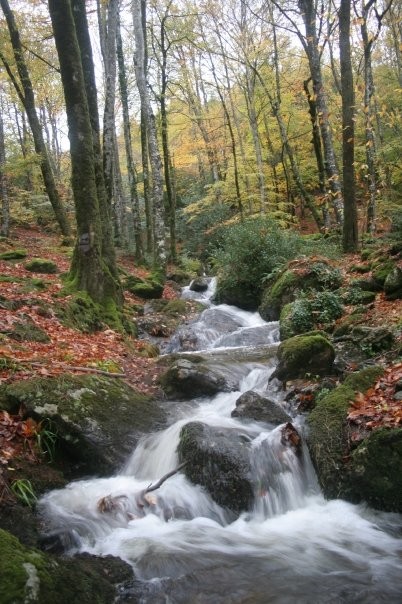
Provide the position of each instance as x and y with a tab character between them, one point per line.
159	251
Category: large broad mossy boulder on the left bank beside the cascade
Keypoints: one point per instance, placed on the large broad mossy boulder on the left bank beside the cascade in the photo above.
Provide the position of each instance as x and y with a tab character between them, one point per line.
97	420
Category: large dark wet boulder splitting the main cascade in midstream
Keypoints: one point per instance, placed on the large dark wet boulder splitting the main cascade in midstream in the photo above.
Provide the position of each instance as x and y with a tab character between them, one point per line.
218	459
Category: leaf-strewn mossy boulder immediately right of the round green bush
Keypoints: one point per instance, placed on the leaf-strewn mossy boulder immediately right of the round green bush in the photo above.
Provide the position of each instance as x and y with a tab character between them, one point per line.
300	276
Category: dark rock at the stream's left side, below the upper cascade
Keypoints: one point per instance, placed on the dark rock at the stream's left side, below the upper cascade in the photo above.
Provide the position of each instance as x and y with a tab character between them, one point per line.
186	379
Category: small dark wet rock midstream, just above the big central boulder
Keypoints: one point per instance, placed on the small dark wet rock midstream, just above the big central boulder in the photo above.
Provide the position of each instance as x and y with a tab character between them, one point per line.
252	405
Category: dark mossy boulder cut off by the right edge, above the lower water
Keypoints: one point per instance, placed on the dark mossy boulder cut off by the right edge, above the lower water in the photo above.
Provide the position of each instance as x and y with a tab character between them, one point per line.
374	470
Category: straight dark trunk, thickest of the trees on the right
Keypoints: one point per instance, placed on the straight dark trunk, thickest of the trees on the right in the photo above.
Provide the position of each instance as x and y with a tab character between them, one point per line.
350	229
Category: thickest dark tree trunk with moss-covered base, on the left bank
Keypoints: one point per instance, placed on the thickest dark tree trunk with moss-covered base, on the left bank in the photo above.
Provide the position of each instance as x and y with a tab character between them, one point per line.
90	270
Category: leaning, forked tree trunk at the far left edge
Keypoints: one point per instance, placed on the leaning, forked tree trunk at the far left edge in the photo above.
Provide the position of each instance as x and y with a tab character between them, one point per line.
27	98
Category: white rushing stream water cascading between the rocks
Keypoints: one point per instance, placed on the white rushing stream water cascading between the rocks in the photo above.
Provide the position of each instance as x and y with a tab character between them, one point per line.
293	547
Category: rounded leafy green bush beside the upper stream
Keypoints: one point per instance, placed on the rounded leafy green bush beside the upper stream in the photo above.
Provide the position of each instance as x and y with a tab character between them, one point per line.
251	250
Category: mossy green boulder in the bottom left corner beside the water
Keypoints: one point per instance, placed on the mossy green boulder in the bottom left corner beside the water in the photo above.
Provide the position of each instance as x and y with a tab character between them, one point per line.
28	575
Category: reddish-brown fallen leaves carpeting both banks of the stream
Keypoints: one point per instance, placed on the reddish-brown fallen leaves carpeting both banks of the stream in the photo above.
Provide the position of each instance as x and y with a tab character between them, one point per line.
33	297
